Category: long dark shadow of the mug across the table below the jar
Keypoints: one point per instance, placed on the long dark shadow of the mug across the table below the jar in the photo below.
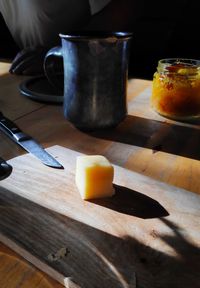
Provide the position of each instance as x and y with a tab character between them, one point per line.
156	135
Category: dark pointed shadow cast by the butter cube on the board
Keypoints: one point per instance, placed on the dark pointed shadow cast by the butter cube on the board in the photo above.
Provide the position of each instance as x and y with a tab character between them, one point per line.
132	203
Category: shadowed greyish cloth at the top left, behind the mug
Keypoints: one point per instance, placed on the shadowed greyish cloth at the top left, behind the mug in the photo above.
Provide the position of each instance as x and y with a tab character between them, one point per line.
38	22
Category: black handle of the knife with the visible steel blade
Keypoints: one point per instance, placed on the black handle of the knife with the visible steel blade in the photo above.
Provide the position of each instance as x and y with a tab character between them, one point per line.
11	129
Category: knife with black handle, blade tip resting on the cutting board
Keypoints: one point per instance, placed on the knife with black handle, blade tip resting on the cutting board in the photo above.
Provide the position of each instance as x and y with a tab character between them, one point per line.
27	142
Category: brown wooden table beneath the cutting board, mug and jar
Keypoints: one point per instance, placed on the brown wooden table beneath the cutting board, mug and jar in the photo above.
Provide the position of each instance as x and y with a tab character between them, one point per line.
144	142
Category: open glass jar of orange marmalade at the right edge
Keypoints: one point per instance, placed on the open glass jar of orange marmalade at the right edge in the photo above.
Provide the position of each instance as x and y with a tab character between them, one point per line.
176	89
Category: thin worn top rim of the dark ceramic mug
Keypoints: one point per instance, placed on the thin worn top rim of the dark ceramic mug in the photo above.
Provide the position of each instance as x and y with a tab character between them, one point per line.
95	34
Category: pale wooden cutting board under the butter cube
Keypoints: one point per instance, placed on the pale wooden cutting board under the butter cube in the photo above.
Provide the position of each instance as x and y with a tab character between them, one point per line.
146	236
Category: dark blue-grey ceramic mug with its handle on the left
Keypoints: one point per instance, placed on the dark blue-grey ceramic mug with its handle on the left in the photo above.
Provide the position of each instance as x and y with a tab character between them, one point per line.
95	77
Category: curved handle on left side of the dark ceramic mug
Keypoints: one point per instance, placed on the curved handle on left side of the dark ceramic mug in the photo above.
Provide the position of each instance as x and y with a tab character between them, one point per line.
52	68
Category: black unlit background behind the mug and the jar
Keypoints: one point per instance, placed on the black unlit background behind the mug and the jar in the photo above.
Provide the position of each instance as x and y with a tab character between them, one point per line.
161	29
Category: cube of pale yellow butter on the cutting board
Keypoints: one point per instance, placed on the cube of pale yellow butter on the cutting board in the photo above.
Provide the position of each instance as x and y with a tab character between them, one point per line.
94	177
